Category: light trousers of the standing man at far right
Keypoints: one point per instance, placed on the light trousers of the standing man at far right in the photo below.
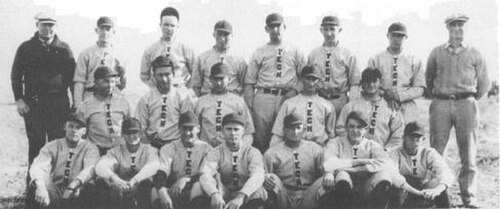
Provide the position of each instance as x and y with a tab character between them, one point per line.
463	115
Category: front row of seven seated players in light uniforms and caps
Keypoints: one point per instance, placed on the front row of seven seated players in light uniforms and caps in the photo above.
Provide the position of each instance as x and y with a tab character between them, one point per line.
189	173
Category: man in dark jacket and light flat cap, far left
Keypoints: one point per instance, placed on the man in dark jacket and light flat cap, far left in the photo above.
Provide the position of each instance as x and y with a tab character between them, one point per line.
41	75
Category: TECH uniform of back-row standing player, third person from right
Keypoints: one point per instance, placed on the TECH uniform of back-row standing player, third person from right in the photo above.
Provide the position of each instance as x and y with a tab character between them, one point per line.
340	72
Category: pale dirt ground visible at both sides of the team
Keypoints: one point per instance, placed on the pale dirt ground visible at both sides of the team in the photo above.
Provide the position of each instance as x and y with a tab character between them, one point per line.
13	155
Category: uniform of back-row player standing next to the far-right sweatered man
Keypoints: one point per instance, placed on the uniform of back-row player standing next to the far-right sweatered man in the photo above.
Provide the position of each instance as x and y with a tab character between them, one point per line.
404	73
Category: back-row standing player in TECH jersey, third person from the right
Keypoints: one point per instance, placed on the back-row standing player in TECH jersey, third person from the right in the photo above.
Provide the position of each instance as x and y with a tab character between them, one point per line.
340	73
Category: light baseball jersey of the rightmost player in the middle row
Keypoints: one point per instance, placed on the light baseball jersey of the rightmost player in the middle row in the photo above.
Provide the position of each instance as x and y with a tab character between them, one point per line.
385	125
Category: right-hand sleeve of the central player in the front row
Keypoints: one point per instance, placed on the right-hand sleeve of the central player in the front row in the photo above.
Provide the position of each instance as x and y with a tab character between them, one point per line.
256	169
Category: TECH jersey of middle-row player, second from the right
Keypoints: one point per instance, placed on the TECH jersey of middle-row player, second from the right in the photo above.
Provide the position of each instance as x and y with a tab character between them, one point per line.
319	115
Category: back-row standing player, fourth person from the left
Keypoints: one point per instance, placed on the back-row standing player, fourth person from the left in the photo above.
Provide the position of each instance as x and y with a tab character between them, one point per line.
220	52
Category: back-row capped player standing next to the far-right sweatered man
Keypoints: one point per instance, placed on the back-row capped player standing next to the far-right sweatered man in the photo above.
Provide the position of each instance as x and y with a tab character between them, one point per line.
402	74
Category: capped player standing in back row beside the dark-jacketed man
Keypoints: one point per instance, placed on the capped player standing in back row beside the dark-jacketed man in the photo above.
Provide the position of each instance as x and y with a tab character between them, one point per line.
101	54
